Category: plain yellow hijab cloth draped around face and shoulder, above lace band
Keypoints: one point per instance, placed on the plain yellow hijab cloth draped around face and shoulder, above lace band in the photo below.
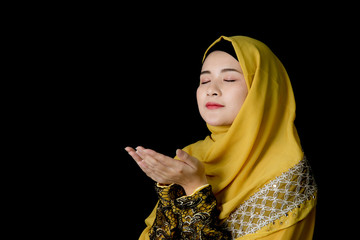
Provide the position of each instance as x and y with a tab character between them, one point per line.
262	143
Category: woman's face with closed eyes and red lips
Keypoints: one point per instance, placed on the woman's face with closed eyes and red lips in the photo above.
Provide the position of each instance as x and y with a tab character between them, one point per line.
222	90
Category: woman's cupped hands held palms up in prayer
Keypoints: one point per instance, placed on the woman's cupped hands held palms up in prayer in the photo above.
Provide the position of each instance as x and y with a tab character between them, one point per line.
187	172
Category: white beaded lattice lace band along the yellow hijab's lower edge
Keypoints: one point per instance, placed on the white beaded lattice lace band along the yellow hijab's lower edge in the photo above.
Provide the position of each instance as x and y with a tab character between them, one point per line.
274	200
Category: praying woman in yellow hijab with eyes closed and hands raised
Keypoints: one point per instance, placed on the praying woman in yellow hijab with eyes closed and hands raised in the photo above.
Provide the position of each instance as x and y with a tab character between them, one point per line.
249	179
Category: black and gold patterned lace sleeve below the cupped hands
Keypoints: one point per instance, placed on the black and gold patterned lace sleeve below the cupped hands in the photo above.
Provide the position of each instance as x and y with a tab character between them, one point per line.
187	217
